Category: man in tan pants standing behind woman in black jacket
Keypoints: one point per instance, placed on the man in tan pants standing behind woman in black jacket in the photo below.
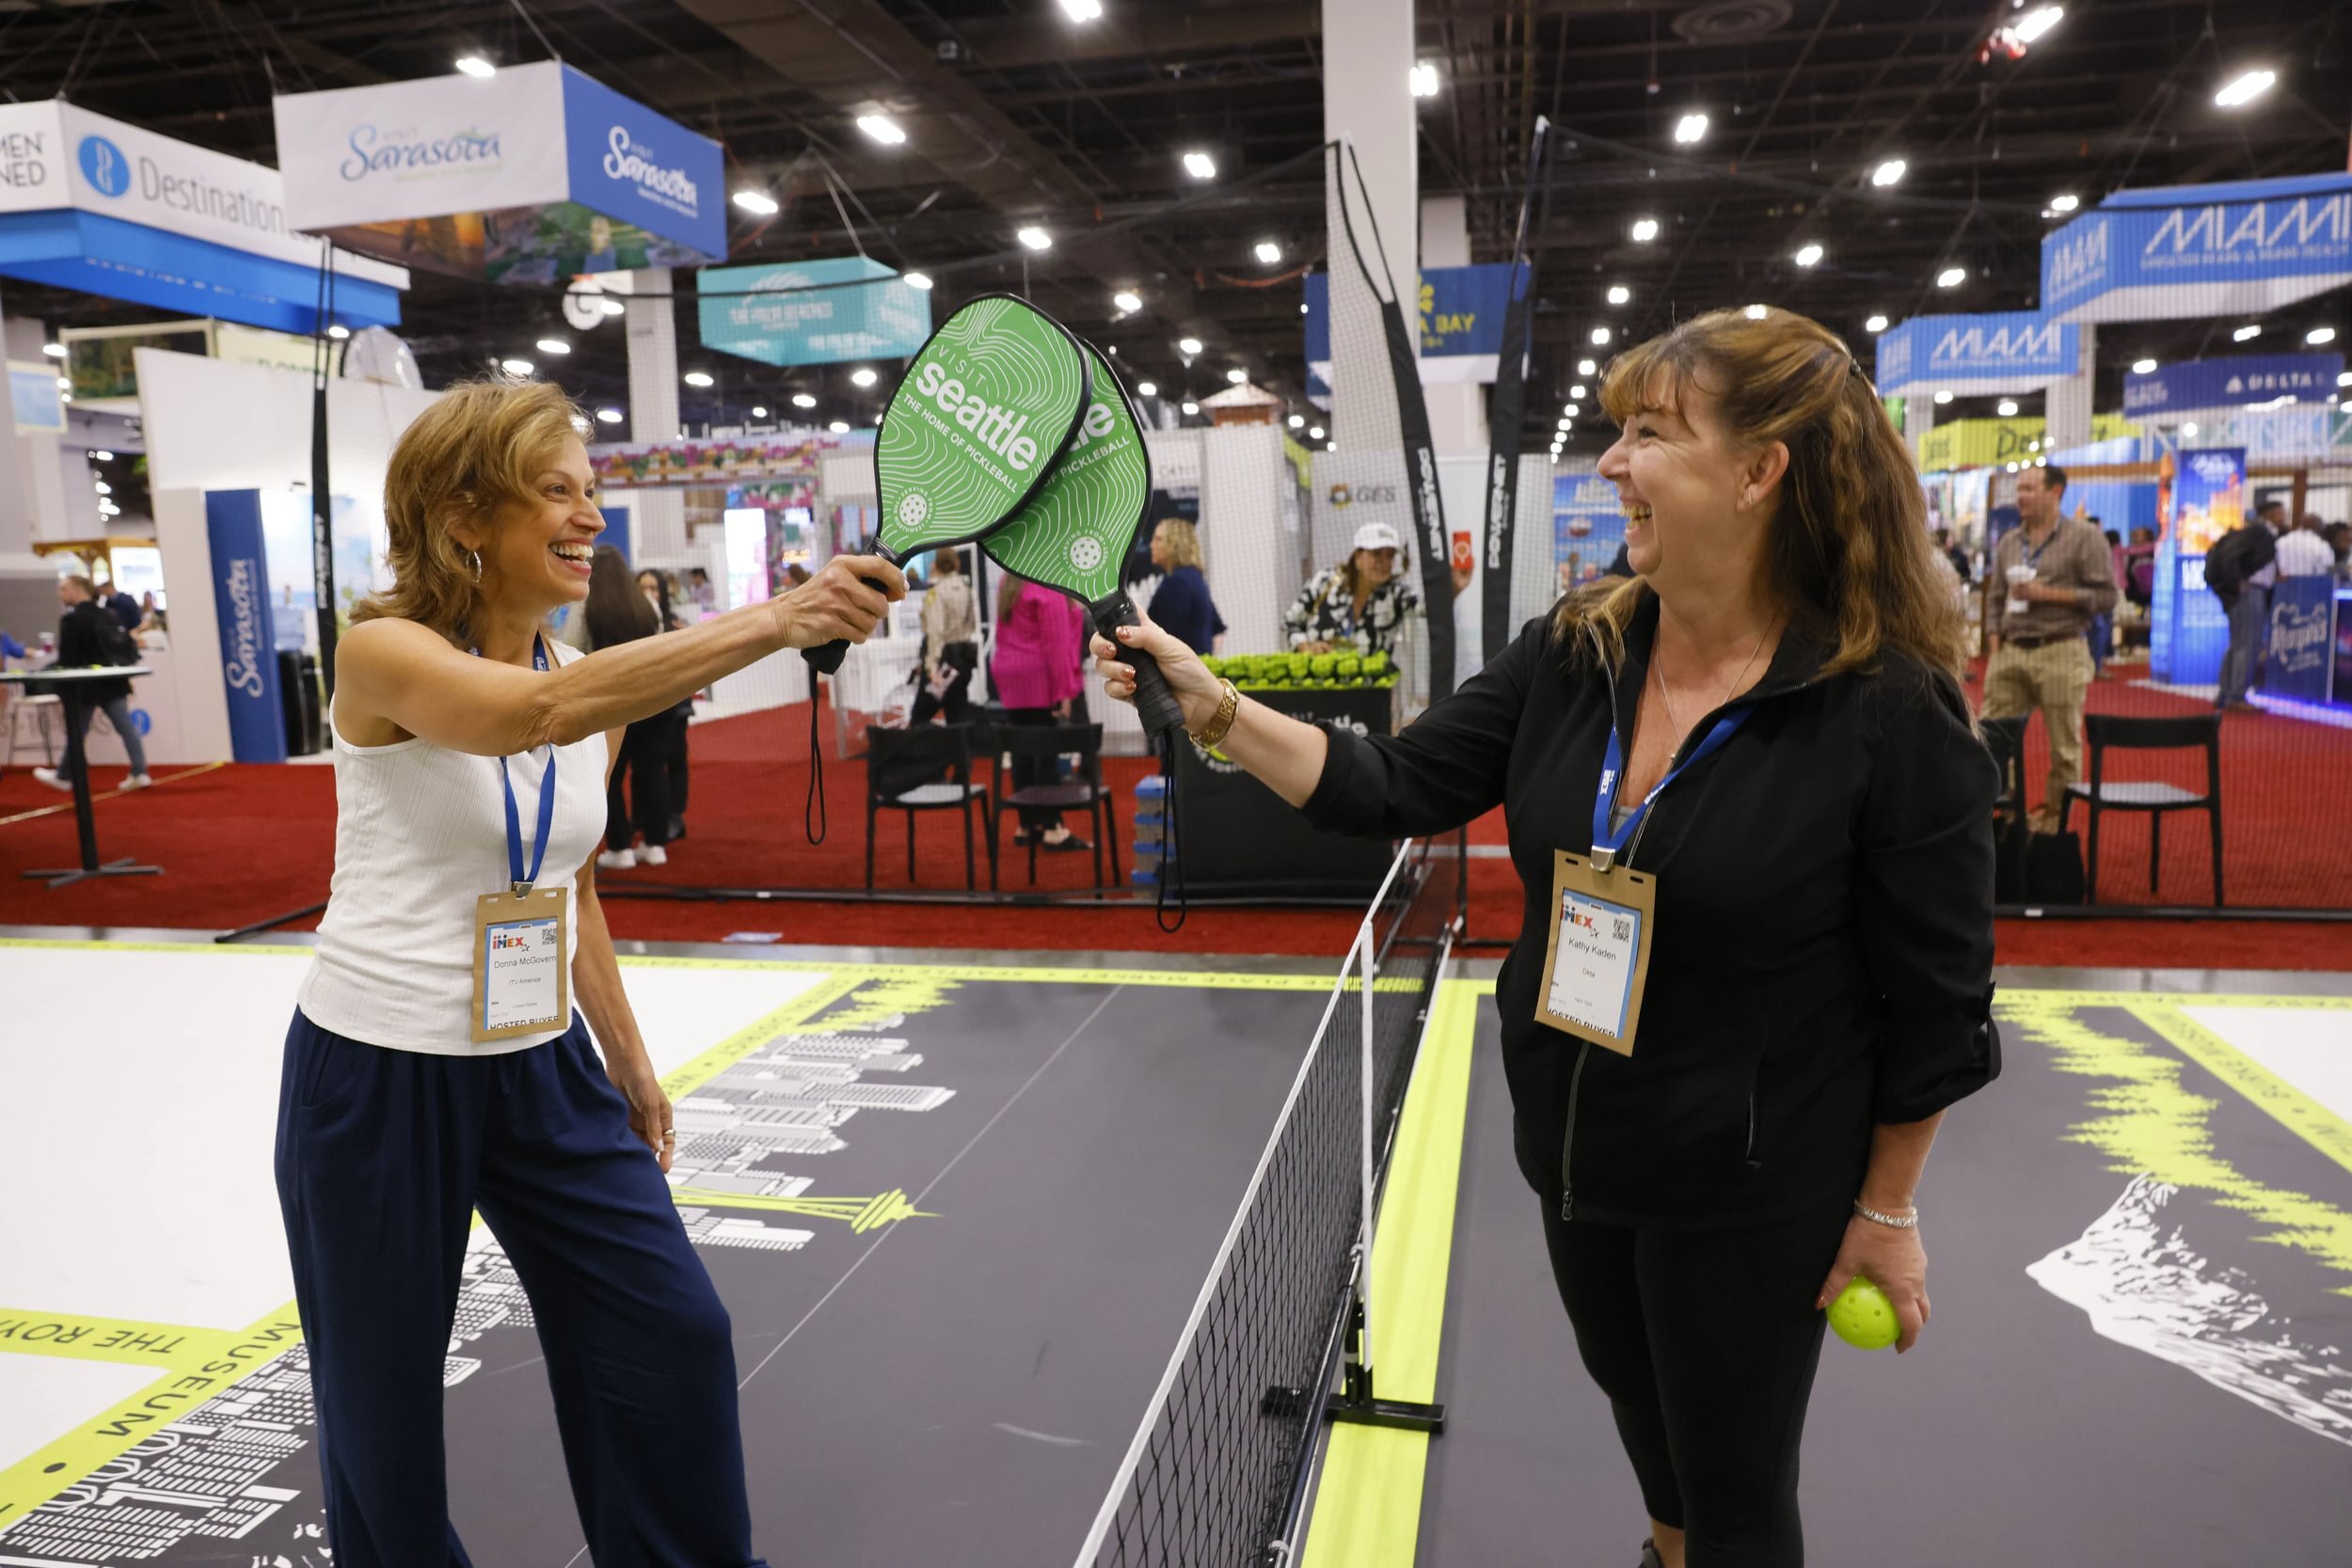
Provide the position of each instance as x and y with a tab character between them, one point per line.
2047	582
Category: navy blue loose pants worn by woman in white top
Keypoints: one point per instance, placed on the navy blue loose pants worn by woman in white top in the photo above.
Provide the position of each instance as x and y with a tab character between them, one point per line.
382	1160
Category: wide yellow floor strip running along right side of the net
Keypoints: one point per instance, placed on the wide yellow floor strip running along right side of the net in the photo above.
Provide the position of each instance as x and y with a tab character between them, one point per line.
1368	1506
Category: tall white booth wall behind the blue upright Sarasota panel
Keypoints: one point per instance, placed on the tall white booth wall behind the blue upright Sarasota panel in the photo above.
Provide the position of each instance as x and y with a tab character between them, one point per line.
222	427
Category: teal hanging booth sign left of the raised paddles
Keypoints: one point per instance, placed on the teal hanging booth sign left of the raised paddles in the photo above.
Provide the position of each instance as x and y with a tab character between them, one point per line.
813	311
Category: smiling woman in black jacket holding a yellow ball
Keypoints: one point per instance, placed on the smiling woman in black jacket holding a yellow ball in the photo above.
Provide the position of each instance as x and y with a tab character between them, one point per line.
1753	768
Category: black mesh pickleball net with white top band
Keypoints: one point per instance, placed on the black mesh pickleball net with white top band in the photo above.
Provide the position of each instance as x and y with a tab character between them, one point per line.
1222	1463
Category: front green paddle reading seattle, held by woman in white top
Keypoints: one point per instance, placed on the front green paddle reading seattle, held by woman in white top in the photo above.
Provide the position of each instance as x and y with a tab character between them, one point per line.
984	410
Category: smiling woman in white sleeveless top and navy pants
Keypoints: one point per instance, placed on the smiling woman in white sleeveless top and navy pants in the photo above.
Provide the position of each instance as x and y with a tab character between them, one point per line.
436	1064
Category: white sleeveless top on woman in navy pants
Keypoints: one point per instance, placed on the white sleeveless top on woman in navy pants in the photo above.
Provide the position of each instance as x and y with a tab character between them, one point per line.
420	833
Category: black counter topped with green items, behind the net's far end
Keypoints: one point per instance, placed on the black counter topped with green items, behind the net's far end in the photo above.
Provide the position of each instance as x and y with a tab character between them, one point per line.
1241	840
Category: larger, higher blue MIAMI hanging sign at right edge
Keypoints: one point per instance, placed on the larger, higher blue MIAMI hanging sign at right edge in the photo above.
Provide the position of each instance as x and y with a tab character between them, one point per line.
2184	253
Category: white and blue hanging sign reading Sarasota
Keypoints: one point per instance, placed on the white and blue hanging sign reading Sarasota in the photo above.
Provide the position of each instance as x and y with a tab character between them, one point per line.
530	177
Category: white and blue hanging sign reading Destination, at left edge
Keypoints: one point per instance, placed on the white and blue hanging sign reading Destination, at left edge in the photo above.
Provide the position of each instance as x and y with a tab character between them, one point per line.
107	208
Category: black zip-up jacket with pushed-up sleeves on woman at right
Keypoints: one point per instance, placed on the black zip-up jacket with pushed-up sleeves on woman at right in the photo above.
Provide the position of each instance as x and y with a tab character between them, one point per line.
1824	932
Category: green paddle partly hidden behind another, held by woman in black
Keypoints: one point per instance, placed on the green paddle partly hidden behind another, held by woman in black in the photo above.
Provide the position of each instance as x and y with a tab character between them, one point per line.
1076	532
